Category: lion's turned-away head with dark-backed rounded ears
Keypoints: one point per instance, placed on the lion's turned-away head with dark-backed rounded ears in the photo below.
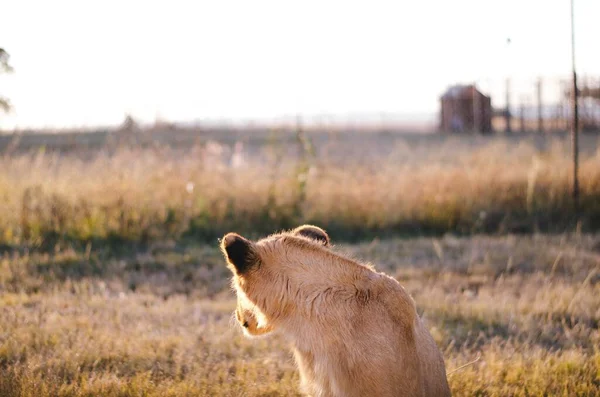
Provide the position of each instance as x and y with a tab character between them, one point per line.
267	274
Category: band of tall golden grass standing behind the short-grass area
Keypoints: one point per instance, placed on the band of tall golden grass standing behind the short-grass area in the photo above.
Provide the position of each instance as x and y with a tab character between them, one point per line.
145	194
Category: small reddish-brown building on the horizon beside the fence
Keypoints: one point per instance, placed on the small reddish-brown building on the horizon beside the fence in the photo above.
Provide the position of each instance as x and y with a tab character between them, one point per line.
465	109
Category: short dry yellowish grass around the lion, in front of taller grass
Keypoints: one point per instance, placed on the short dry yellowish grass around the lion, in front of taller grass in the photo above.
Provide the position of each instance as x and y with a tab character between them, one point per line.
159	323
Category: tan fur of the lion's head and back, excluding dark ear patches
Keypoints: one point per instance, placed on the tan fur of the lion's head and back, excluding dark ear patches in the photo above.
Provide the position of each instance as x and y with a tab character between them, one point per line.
354	332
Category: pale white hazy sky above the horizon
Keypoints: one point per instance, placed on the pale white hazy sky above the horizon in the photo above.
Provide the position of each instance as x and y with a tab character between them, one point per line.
90	62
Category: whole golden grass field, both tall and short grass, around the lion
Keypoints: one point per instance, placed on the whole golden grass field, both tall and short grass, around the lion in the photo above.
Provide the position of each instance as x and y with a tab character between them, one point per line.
111	283
